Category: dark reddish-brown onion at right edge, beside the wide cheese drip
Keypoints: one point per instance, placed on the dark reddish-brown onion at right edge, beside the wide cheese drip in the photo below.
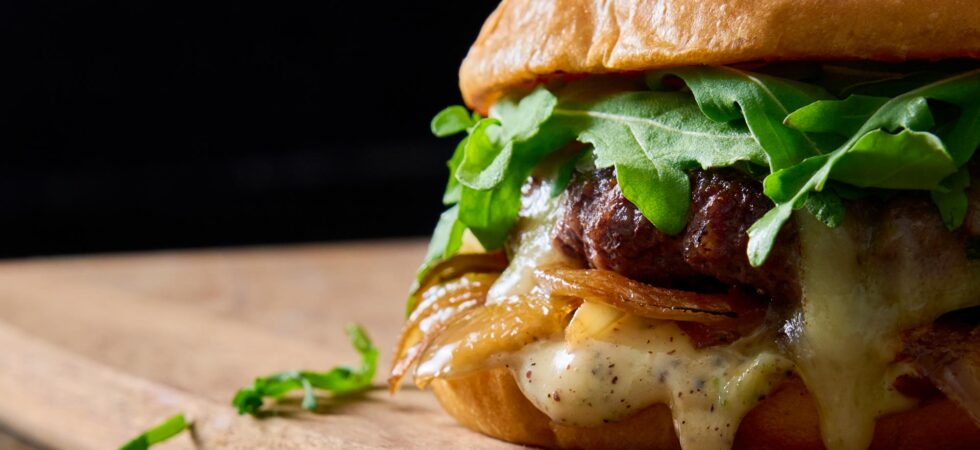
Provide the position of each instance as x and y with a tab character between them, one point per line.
948	354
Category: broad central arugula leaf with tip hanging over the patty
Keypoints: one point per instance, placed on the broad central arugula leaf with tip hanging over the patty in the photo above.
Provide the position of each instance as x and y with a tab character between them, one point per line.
652	138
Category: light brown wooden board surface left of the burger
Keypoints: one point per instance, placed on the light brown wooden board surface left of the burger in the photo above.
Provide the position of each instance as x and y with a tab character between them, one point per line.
93	350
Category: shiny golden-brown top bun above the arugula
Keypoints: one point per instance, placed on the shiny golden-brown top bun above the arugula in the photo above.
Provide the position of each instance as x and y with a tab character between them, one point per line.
526	40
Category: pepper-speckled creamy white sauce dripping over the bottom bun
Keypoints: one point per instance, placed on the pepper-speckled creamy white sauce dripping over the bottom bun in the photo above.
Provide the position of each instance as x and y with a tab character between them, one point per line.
637	363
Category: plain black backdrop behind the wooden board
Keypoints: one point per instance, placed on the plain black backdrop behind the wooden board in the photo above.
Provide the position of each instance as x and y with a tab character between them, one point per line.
134	124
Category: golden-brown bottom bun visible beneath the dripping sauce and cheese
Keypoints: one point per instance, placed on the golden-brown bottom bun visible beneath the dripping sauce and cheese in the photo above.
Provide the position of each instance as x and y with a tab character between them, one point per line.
491	403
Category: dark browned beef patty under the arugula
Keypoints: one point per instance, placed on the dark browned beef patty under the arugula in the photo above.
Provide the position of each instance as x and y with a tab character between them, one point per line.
604	230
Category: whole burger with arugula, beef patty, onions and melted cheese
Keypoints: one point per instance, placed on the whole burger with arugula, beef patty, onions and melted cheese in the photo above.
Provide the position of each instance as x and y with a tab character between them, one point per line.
708	225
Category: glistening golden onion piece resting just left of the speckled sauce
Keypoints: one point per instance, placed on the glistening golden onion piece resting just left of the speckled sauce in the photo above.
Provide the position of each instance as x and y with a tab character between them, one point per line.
470	342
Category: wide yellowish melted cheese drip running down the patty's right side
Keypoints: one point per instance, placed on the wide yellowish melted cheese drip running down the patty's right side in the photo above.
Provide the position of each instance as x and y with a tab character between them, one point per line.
862	285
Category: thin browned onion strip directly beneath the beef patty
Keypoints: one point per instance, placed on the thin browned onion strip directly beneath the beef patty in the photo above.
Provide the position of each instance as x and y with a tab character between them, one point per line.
634	297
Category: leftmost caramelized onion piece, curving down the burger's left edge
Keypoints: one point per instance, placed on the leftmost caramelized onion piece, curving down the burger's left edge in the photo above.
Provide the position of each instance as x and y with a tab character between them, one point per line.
440	305
